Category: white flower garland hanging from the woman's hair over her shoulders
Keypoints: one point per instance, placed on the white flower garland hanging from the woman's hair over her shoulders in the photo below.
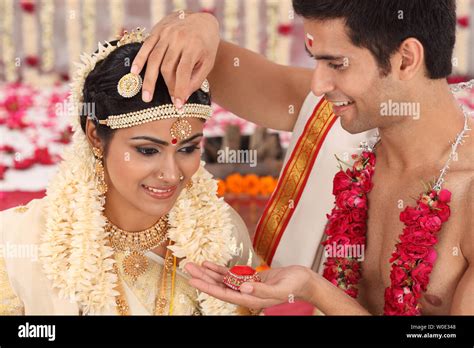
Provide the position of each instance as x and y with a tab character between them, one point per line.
74	251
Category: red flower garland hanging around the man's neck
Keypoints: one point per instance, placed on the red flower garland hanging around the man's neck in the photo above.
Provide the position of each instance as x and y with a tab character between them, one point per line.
413	259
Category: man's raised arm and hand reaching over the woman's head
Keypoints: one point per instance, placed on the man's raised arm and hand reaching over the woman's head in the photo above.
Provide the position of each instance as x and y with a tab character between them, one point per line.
186	49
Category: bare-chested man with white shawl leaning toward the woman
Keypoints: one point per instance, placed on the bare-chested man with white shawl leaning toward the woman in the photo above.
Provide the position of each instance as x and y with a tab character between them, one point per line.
373	59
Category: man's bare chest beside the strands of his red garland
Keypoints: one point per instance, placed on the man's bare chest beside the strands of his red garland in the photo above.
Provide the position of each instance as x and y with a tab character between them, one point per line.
389	197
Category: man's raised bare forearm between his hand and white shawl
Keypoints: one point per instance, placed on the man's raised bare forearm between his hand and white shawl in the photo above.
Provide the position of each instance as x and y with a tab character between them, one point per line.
257	89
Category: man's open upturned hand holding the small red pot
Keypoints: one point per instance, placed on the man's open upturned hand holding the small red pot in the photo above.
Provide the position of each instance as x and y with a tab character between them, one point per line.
279	285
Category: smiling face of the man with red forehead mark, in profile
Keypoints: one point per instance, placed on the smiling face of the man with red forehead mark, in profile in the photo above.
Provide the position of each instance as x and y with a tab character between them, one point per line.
348	75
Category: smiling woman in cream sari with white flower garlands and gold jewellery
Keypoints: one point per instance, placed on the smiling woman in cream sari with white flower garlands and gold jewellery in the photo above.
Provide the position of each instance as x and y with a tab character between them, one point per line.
131	166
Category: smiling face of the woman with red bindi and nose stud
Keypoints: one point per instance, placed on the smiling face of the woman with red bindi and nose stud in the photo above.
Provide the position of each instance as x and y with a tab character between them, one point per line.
145	170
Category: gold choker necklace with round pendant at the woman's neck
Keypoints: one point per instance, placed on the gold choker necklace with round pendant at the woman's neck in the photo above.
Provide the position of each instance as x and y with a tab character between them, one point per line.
135	244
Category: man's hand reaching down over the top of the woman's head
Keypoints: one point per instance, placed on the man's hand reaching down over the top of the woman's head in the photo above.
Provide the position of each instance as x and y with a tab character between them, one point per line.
183	46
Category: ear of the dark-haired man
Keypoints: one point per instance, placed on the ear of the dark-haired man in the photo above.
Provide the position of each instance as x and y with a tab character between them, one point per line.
409	60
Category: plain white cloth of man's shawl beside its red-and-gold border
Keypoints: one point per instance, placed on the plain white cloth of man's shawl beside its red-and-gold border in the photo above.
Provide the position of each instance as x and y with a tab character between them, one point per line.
303	235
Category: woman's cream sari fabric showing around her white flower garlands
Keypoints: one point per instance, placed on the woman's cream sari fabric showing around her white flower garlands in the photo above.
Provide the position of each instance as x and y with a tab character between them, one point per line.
21	232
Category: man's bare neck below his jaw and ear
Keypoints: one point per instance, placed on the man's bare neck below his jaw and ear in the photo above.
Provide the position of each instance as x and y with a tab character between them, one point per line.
424	139
